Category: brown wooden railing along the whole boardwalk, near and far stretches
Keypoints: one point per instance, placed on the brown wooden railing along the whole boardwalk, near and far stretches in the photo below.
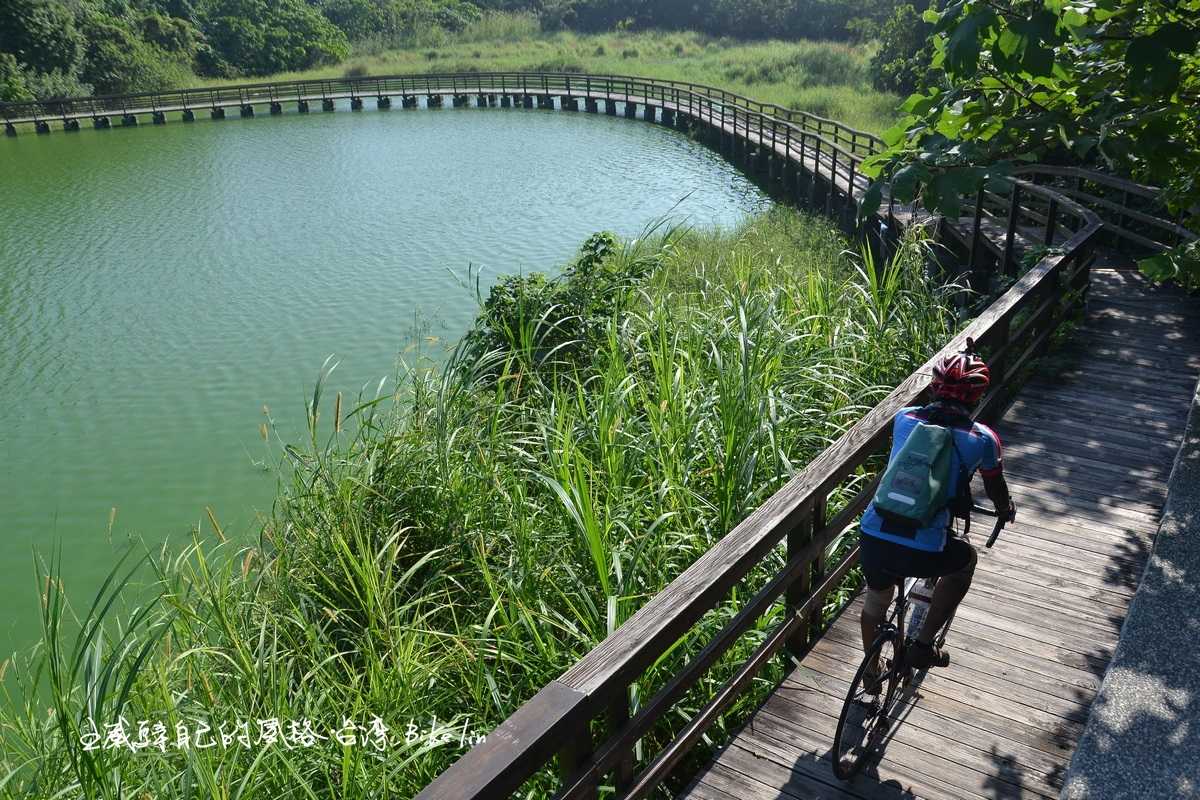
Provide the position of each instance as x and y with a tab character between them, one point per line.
584	723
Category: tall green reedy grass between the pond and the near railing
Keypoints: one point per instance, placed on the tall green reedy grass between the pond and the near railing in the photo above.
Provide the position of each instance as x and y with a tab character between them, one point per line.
446	551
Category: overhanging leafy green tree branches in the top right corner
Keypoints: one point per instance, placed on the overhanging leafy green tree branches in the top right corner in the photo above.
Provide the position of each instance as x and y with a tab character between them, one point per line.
1112	85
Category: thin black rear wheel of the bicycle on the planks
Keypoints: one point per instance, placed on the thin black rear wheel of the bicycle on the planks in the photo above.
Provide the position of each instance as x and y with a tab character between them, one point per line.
865	715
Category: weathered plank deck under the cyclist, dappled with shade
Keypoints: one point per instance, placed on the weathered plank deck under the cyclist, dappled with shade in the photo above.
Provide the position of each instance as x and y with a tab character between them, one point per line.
1089	448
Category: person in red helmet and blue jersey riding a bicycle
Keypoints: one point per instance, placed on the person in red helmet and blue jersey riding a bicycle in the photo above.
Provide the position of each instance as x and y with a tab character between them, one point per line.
891	550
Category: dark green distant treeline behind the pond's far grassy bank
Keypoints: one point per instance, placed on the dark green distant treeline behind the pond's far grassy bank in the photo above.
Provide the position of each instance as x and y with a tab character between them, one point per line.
51	49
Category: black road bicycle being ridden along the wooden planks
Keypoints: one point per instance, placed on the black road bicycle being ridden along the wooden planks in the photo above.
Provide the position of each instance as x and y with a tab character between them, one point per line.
867	707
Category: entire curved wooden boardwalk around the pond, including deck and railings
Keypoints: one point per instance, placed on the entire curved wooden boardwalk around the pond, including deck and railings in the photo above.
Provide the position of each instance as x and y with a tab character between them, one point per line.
1091	432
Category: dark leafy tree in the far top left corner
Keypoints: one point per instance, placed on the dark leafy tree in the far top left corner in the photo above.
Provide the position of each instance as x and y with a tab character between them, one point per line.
41	34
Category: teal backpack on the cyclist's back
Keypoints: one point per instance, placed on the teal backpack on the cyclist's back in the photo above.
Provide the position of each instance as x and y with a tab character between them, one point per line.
916	484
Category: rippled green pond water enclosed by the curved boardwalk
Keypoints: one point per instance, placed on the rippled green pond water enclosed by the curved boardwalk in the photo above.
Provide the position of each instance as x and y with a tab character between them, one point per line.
161	286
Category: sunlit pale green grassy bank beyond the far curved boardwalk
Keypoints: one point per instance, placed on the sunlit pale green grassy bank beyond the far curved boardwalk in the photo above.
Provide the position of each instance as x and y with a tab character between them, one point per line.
826	79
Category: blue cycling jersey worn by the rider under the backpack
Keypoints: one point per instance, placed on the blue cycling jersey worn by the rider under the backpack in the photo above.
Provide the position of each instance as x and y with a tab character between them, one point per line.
975	443
